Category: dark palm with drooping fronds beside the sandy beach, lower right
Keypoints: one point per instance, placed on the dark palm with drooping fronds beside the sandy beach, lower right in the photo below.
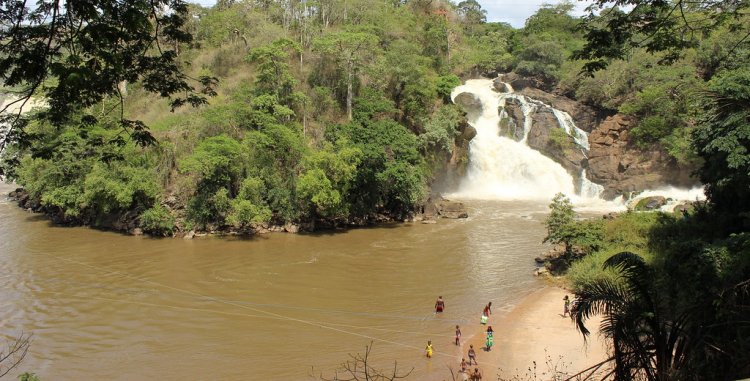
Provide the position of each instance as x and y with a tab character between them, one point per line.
647	344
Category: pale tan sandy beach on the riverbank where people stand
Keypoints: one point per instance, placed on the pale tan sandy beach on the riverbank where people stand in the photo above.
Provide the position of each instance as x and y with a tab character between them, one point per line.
536	332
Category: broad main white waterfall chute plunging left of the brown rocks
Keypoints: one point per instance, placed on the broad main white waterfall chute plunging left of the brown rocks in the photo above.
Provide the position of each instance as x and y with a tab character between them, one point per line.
501	168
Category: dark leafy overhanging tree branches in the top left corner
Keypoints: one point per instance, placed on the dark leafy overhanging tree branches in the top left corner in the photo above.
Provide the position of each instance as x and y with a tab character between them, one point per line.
76	54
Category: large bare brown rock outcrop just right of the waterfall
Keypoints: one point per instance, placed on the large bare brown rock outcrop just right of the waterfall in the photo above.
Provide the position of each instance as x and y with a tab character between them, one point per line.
621	168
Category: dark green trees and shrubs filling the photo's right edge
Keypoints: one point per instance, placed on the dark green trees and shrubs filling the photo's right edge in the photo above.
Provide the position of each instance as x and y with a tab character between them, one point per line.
674	288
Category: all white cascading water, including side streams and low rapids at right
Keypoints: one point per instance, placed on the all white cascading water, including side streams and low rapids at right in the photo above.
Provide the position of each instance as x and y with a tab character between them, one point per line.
505	169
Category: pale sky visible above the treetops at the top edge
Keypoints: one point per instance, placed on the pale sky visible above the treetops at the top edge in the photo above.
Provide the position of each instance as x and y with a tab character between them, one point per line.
514	12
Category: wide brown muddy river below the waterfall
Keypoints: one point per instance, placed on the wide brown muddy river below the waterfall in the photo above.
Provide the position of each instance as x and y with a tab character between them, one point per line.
103	306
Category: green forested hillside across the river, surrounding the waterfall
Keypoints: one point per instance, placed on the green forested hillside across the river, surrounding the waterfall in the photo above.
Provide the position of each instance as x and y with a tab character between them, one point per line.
335	112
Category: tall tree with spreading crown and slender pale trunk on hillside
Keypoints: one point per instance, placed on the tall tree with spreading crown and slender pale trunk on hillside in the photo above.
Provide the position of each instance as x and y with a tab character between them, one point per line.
350	50
